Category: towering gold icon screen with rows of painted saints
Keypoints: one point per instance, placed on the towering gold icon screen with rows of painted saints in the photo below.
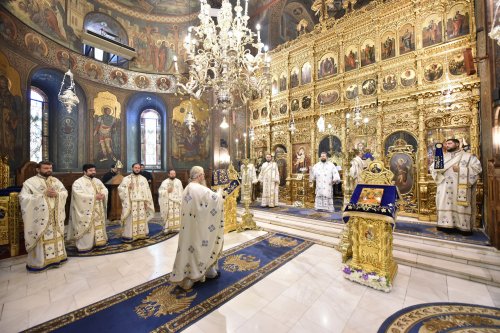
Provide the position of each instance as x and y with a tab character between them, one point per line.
388	79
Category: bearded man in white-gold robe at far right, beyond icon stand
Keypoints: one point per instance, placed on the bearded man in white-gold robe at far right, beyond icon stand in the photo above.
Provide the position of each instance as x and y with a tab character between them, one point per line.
456	188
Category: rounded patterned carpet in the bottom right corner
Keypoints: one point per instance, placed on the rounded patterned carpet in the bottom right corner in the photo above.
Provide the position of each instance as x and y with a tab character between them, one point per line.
443	317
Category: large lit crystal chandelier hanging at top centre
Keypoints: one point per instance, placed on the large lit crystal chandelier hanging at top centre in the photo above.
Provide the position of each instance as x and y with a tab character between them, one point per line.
219	57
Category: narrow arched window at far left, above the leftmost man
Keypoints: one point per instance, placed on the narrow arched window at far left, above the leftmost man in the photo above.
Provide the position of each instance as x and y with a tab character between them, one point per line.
39	125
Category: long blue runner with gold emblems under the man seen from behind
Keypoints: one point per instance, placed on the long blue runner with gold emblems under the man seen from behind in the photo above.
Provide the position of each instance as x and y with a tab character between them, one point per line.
159	306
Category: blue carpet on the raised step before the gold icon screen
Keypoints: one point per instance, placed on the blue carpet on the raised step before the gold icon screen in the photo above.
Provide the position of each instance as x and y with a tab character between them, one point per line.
478	236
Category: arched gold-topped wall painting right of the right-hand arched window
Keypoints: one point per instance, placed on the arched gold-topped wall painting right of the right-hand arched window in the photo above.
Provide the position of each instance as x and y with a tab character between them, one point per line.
193	145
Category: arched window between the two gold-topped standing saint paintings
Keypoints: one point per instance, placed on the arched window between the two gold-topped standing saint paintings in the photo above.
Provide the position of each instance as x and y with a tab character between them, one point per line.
151	139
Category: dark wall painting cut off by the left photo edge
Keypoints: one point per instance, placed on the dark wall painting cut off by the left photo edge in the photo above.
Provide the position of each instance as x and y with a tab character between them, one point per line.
10	104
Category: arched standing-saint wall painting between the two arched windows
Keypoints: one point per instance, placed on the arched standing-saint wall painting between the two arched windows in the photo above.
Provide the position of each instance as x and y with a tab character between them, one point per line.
107	130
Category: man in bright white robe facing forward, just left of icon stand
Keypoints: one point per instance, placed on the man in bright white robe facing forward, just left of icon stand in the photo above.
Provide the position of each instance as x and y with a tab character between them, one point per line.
325	174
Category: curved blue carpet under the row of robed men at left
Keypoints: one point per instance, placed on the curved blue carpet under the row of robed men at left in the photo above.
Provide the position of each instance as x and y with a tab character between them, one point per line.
115	243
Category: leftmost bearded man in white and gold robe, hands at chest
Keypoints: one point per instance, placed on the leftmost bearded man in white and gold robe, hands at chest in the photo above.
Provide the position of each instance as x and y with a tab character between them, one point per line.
42	201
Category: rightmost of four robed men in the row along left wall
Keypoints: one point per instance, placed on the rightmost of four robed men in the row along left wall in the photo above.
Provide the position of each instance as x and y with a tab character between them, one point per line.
169	198
